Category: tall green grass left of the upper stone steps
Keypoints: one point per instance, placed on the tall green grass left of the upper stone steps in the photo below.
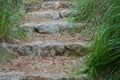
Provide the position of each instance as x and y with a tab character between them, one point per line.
10	13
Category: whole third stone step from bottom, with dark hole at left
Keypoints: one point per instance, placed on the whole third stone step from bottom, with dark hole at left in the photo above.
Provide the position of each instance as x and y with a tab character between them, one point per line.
52	27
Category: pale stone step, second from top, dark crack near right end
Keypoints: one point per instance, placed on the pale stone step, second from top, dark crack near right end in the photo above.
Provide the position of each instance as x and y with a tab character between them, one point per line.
52	14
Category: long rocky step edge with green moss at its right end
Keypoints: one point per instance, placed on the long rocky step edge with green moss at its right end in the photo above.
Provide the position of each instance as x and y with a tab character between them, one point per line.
50	48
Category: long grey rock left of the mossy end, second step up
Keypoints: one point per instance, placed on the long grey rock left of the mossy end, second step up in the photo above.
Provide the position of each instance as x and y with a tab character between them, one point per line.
40	49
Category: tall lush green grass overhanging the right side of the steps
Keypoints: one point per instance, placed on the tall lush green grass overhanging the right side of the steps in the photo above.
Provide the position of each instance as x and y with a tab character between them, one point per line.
103	63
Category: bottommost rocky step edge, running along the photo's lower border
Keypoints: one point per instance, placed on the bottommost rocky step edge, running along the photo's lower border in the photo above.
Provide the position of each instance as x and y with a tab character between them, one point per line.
39	76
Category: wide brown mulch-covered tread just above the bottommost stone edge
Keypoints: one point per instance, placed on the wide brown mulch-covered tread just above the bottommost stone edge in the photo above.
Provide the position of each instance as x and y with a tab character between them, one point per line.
29	65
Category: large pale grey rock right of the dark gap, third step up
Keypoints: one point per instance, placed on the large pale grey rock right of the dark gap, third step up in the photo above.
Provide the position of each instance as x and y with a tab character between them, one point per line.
51	27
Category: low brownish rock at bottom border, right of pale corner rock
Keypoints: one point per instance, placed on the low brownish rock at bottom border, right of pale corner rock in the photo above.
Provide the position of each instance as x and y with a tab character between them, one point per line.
54	76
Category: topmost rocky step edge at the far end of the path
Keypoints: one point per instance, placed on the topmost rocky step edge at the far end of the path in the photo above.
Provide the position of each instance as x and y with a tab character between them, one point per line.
37	5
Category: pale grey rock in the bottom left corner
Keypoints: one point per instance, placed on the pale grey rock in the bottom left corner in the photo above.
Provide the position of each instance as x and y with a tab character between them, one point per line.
11	75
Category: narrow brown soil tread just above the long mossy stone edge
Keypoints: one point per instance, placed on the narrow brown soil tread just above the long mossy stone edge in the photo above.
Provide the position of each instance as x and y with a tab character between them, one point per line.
64	38
